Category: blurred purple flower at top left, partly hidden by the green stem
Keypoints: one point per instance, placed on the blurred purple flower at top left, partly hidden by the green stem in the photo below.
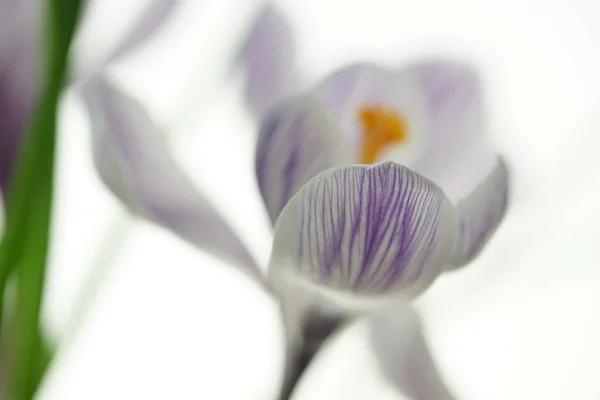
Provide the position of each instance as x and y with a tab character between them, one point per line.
20	29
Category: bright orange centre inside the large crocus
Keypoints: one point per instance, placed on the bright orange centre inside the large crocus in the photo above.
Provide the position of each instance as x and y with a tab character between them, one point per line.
382	128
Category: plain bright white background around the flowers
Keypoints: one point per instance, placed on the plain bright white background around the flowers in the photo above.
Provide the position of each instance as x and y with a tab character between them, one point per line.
169	322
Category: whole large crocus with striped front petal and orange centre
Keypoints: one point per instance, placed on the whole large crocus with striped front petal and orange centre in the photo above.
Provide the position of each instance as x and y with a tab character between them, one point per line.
376	180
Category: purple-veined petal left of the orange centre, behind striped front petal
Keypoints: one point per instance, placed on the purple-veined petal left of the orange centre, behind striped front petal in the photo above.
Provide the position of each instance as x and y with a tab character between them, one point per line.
297	140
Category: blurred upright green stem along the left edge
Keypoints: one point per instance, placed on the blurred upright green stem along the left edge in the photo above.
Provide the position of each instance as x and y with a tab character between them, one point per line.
25	245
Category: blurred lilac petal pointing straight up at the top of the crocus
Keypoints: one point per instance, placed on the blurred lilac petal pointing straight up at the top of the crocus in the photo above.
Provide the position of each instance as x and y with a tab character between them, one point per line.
268	58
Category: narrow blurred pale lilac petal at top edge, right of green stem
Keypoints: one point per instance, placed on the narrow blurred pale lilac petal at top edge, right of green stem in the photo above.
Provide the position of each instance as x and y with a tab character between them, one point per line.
155	16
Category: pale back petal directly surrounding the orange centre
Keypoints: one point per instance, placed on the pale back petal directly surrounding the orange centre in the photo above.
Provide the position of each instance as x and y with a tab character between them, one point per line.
349	91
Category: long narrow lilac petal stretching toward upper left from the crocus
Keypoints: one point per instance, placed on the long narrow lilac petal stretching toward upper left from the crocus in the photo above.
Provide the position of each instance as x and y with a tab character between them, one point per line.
134	161
